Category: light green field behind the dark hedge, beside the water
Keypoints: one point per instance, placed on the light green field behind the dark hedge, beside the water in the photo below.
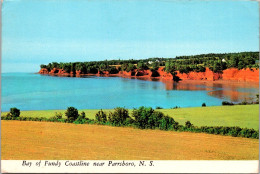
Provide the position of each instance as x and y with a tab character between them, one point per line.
238	115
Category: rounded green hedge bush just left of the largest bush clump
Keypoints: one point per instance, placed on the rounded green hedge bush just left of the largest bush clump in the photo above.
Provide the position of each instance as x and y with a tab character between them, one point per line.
118	117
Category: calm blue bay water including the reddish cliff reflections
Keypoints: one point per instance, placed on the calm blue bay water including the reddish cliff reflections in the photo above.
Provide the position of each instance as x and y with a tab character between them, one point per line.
28	91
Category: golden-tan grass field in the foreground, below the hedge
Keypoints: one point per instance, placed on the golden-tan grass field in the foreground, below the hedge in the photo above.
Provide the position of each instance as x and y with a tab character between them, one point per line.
41	140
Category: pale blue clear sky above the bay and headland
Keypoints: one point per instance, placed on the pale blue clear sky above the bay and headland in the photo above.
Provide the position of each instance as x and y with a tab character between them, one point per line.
37	32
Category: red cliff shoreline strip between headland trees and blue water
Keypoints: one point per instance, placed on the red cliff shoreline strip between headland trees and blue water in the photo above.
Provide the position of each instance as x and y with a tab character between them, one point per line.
231	74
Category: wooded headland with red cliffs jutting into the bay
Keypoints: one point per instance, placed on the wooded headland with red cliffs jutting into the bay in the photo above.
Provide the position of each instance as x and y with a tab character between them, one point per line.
210	67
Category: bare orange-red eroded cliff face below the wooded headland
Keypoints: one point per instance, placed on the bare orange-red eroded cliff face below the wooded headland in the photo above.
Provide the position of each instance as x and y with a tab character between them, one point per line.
250	75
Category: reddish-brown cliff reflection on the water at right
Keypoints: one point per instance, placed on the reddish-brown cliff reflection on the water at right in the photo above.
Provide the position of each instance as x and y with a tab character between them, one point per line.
225	90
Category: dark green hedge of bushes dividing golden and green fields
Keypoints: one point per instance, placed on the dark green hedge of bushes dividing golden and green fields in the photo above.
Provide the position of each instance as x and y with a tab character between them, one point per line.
142	118
